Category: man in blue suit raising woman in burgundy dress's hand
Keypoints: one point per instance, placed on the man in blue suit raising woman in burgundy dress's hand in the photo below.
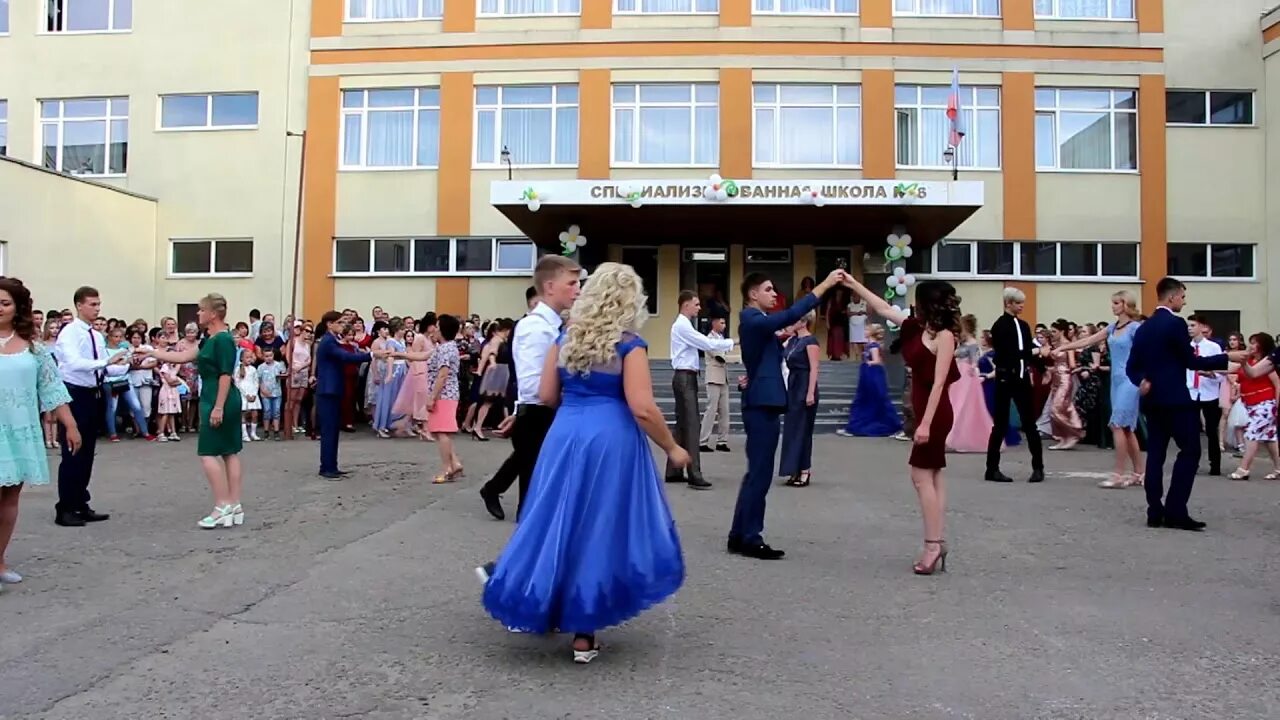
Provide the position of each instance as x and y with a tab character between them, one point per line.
765	400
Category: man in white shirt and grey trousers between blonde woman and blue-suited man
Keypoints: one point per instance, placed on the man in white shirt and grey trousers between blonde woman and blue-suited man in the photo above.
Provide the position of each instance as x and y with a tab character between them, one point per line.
685	344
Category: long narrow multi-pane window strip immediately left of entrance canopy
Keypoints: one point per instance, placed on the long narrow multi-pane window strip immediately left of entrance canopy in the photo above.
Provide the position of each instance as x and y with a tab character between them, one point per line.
435	257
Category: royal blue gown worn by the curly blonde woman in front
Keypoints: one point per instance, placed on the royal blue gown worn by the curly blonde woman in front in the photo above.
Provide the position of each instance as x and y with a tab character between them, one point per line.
596	545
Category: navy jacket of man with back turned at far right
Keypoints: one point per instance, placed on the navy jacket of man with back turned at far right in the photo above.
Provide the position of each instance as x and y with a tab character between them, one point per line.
1162	356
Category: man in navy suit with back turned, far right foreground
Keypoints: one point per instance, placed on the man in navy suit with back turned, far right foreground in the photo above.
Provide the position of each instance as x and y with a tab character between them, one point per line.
1159	363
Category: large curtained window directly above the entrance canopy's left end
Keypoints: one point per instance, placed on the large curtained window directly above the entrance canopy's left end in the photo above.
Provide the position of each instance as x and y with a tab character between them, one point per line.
537	124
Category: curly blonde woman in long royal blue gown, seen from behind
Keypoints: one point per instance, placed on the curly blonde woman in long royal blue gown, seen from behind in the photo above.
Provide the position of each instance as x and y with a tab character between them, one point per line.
596	545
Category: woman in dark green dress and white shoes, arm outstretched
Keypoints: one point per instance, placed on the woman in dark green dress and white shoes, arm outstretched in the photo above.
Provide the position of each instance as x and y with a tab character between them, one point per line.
221	441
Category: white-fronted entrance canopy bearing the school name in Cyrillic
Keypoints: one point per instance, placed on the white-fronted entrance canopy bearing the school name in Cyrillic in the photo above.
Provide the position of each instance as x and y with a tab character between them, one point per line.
760	213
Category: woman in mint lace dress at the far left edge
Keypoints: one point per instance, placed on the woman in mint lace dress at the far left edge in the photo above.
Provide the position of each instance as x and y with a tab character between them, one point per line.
30	386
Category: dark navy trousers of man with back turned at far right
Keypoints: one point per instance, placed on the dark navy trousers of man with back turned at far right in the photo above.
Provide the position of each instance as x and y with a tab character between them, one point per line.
1182	426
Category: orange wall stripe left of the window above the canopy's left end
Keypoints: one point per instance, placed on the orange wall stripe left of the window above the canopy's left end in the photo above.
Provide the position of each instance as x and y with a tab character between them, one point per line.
454	188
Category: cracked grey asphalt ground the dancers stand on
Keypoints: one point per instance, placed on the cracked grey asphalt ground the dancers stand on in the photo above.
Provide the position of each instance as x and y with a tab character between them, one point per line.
356	600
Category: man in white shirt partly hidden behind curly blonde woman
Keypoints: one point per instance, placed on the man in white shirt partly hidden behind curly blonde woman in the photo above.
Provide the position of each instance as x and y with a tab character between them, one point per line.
557	282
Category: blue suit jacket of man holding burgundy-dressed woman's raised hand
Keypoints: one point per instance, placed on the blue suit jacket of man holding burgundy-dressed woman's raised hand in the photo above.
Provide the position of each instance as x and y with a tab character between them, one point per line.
762	352
